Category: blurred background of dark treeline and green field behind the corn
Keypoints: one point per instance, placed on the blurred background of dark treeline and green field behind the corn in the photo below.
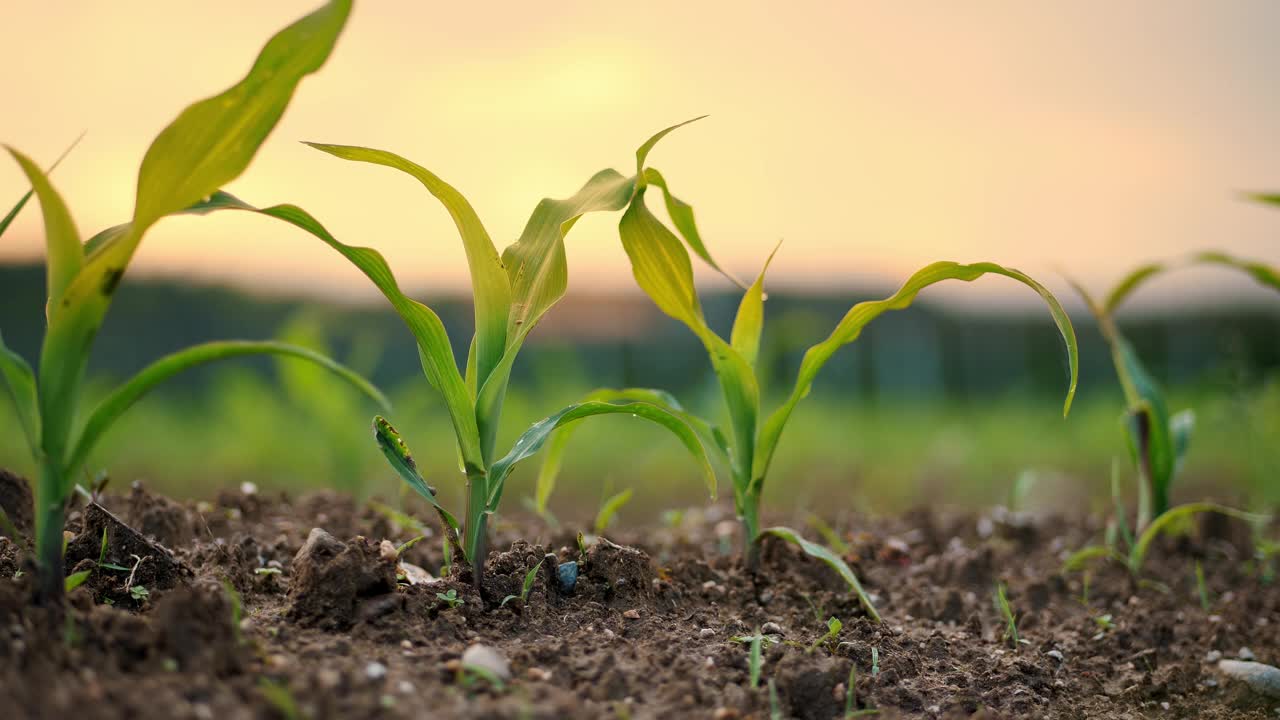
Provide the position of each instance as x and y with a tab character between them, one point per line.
952	407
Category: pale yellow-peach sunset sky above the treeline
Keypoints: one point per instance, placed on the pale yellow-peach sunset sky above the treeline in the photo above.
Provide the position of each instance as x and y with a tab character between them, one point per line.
1071	139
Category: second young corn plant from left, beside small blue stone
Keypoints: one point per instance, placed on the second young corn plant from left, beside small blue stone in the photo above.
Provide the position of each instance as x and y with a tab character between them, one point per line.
511	294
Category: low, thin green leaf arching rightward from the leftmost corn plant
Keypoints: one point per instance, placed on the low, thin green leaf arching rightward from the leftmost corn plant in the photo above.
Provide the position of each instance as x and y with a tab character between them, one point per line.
124	398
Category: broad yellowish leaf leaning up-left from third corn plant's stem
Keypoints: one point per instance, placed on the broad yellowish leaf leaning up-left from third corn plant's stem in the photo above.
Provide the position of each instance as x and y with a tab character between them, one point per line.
665	274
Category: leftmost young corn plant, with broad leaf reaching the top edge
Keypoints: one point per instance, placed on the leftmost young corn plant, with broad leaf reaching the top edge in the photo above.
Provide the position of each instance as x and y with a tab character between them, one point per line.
211	144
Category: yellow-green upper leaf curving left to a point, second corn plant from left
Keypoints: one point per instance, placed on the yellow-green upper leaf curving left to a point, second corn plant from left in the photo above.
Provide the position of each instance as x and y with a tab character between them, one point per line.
490	285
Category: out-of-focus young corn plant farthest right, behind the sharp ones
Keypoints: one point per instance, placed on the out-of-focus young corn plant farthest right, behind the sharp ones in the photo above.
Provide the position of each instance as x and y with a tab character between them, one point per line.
1158	441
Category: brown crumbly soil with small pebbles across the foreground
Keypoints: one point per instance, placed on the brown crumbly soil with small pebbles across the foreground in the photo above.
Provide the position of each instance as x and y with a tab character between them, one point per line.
258	608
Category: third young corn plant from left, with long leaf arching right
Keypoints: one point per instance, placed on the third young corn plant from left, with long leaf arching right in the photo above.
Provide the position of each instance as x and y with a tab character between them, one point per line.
664	270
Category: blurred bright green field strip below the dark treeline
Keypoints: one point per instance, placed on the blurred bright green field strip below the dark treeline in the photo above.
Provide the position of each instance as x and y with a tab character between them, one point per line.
836	454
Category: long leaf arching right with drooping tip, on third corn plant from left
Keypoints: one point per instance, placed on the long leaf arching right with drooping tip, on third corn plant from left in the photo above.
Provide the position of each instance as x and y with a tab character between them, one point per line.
852	326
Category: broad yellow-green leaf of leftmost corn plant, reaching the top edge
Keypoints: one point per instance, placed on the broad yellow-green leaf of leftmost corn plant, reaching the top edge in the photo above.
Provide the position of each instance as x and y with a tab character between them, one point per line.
207	147
